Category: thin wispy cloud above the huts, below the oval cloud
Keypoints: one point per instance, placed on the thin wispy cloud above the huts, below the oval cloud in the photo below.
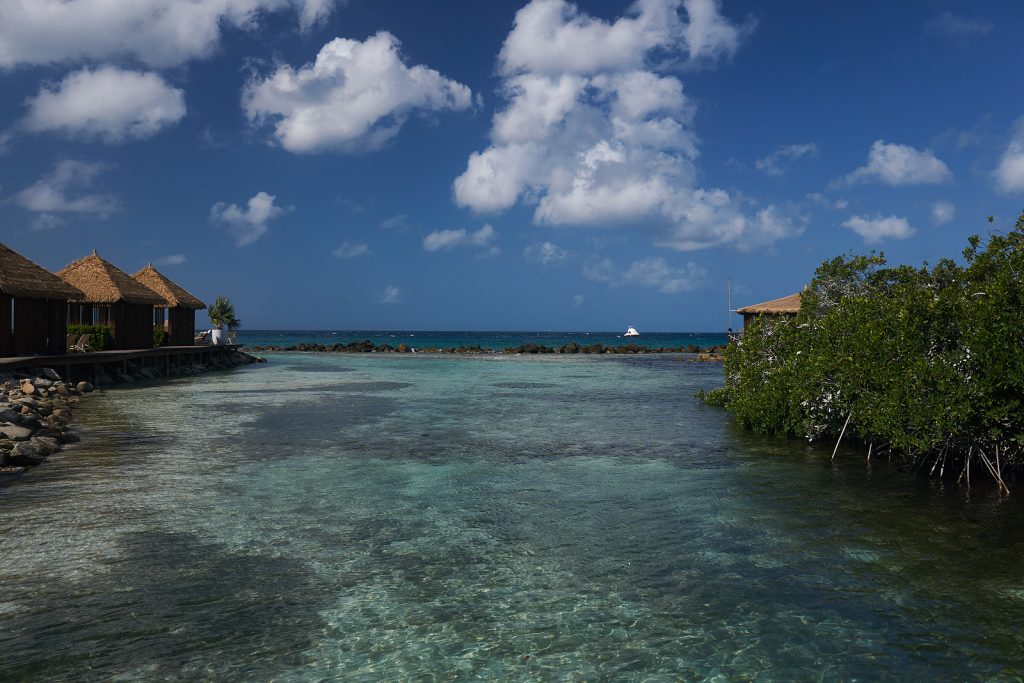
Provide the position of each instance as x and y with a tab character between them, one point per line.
61	192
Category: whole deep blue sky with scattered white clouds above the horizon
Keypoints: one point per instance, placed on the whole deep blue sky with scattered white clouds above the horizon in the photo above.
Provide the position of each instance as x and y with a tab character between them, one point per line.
541	165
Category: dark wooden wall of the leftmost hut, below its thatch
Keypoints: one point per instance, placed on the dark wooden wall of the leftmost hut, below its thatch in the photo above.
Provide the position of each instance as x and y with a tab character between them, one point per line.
40	326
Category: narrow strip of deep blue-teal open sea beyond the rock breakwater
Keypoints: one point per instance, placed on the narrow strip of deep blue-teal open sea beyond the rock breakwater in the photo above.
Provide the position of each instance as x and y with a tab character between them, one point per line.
490	340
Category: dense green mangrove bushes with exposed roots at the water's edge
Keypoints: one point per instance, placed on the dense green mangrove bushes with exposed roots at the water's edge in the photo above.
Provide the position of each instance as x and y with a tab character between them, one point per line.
923	366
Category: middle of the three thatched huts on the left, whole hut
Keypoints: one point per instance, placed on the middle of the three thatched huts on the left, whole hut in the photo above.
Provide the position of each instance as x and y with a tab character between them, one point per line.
112	298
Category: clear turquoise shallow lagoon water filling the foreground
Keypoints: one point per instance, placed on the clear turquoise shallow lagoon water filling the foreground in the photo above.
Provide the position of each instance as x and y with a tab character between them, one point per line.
385	518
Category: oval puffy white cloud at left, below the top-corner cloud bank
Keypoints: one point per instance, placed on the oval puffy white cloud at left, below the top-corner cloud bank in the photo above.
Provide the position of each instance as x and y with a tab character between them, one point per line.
107	104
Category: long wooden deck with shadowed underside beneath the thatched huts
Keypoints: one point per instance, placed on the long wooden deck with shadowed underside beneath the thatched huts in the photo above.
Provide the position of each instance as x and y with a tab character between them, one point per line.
90	365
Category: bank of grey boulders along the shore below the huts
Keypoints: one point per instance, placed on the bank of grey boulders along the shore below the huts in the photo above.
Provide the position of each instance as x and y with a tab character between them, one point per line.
37	405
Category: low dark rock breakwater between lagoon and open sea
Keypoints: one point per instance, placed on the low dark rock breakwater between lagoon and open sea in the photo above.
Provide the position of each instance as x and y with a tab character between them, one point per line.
366	347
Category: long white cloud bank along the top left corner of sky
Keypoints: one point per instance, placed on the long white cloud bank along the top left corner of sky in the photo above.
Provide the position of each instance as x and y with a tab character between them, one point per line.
159	33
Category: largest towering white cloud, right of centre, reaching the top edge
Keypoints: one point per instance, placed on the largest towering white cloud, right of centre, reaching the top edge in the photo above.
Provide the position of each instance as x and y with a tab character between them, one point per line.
595	134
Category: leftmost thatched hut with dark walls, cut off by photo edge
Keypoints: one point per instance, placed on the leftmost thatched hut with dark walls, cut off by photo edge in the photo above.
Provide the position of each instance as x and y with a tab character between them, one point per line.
33	308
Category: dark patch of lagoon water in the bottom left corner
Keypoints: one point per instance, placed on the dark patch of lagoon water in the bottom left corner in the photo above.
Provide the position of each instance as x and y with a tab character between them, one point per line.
241	614
